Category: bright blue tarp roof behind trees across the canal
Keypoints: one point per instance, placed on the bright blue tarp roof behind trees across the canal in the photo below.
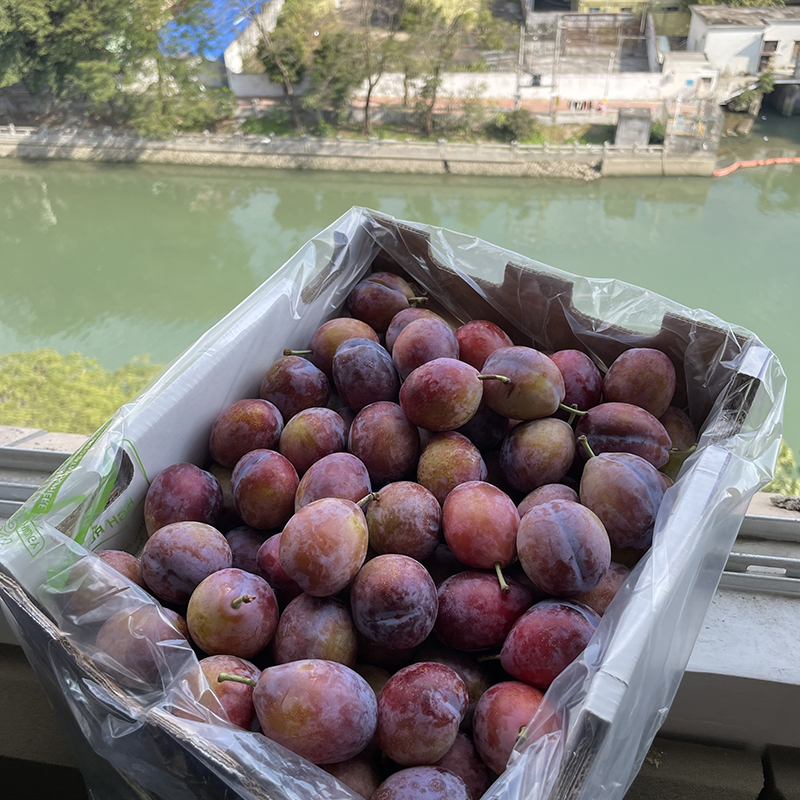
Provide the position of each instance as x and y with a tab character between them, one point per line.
228	19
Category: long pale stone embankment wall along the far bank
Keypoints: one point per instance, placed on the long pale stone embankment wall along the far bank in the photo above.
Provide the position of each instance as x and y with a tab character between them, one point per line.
374	155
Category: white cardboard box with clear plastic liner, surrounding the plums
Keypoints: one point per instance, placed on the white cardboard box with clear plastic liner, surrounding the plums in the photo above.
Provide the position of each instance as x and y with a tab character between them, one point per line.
163	735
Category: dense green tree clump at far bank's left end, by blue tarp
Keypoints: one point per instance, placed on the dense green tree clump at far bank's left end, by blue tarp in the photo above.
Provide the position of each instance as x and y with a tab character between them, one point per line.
139	62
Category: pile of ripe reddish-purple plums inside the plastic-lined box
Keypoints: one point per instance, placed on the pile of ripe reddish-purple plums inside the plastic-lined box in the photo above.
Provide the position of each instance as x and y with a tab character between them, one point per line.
411	560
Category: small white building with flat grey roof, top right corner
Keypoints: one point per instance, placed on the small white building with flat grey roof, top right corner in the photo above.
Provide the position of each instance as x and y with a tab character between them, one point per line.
747	40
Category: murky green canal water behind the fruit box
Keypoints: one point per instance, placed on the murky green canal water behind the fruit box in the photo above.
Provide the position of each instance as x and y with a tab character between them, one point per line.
117	261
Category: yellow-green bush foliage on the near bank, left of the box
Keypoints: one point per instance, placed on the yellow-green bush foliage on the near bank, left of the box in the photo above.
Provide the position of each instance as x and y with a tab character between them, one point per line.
71	394
